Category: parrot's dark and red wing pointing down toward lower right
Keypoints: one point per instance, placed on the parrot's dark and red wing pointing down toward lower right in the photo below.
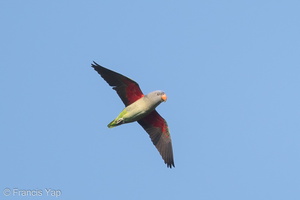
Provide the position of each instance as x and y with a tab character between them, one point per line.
158	130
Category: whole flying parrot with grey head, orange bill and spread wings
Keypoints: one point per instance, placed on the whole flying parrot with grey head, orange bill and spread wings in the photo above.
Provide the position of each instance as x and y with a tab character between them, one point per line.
140	108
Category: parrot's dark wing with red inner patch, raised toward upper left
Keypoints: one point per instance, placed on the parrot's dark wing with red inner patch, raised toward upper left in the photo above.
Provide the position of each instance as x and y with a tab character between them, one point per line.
127	89
